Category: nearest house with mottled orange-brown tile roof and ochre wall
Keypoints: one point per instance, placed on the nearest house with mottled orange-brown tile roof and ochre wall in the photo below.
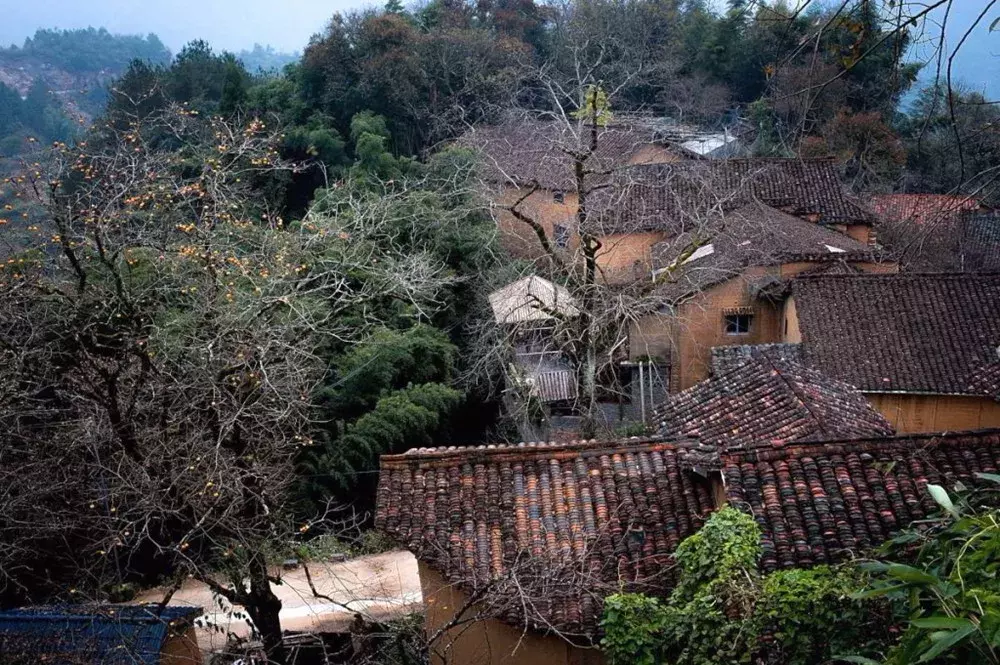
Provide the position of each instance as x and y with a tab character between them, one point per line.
519	544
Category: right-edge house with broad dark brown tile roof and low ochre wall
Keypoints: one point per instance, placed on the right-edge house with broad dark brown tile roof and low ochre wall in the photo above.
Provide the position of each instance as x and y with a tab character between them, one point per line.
923	348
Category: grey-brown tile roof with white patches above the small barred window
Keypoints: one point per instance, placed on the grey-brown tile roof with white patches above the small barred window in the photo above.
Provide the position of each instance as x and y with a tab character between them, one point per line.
753	235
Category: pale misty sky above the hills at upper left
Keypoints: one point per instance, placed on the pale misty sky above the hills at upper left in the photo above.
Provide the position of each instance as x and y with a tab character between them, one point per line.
226	24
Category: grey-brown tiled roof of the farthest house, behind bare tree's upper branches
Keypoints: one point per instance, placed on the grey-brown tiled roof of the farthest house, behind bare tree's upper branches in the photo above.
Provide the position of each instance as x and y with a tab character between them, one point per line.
524	151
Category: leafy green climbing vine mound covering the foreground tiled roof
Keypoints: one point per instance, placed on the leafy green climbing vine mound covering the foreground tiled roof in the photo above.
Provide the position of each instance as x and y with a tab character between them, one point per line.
724	611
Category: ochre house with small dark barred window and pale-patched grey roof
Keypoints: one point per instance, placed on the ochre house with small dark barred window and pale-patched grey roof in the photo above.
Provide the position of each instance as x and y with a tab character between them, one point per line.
730	290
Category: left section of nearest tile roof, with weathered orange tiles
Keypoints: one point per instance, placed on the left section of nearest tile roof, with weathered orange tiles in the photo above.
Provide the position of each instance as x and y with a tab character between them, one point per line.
568	522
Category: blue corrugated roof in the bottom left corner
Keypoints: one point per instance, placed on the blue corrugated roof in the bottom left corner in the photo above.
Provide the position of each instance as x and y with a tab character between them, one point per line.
107	634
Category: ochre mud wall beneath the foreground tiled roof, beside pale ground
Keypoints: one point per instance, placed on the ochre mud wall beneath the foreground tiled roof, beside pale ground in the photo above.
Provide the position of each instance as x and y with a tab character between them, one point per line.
490	641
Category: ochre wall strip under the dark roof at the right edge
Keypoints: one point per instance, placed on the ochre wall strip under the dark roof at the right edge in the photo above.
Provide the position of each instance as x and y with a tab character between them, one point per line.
936	413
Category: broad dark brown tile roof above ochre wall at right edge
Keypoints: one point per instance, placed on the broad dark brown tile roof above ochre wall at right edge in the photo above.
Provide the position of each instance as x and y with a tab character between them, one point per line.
924	333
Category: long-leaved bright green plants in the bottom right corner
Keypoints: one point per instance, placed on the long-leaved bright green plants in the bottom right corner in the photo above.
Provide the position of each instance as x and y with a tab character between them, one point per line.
947	590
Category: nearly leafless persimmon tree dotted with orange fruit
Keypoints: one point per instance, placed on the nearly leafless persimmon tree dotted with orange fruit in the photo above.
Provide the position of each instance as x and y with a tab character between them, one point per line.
160	341
